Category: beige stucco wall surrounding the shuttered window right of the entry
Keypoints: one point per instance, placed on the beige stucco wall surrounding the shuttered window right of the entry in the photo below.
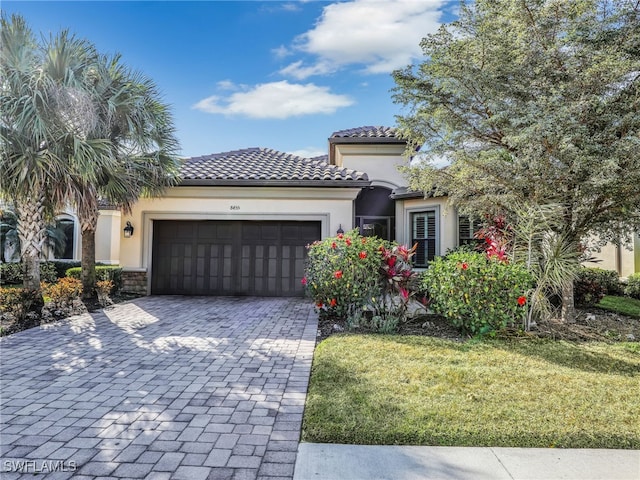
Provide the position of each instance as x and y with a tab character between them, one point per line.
446	224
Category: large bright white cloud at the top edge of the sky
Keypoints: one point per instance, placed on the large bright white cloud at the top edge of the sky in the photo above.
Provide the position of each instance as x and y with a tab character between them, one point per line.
381	34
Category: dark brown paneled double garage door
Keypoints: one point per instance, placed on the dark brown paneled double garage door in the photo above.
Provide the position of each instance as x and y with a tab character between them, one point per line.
262	258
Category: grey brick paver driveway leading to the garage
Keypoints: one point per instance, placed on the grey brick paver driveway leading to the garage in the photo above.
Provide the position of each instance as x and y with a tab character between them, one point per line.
161	387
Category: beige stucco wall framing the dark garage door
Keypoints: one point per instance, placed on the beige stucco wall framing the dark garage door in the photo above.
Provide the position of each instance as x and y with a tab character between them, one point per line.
330	206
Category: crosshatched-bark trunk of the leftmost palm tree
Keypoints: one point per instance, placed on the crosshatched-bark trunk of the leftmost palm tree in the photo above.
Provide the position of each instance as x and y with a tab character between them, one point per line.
31	231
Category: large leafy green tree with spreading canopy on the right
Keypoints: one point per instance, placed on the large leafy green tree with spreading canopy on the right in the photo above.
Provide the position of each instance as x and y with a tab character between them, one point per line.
532	102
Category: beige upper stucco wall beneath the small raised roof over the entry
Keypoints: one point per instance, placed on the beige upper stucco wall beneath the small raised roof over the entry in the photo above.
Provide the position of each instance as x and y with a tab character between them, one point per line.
379	162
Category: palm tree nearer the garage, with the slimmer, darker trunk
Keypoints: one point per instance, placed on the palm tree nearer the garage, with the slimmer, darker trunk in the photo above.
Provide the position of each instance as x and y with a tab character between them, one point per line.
144	149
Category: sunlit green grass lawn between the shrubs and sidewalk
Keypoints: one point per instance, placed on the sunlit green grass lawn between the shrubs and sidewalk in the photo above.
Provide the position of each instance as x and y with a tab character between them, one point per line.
374	389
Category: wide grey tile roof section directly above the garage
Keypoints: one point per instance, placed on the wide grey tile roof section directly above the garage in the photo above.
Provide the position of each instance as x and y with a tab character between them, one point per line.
266	167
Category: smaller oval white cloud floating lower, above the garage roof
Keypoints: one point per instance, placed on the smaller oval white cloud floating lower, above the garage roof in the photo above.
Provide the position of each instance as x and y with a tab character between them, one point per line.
277	100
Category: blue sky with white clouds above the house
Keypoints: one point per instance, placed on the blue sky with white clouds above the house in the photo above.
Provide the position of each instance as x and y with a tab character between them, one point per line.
239	74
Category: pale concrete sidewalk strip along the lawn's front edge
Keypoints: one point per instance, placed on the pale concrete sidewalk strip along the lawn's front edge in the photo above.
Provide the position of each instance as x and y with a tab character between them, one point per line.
318	461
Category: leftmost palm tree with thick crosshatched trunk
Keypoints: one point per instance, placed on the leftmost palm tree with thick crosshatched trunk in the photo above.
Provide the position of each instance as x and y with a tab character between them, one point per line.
47	129
